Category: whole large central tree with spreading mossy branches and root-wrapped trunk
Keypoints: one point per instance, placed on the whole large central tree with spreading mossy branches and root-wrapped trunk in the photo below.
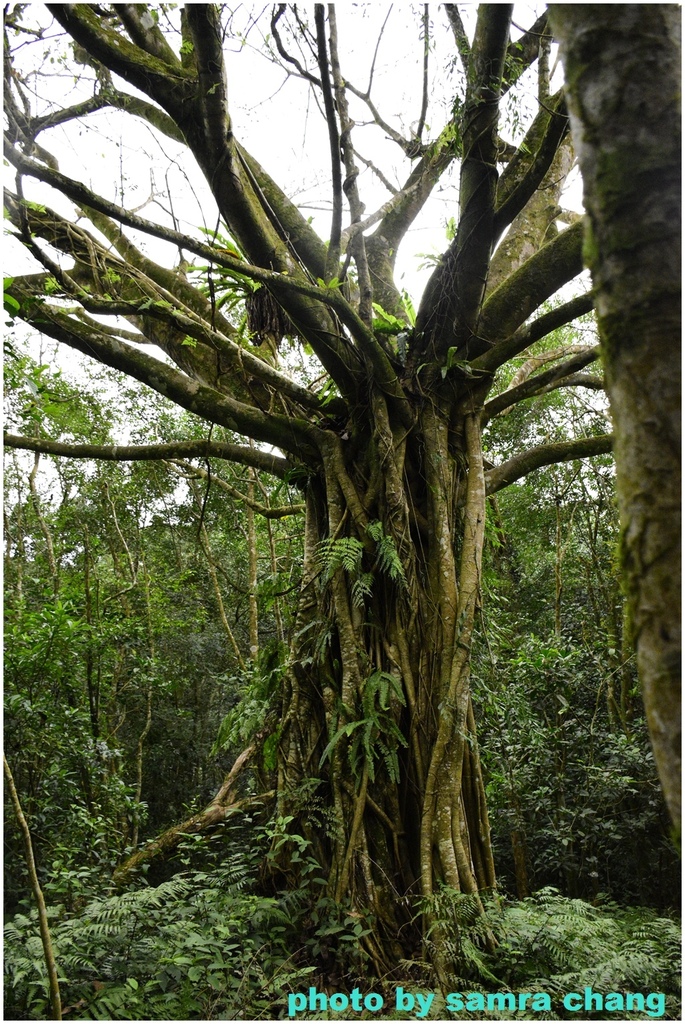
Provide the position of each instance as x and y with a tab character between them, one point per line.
377	724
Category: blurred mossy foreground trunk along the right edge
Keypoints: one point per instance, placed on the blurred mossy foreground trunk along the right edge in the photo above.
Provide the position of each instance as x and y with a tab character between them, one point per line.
623	80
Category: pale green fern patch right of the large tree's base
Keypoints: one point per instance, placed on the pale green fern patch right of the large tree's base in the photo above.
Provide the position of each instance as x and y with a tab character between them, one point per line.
554	945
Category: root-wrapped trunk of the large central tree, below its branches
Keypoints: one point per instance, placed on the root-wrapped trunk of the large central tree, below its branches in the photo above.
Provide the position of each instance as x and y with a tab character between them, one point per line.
379	695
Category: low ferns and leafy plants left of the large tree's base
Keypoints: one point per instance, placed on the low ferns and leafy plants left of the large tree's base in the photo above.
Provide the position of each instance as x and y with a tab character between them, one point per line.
201	946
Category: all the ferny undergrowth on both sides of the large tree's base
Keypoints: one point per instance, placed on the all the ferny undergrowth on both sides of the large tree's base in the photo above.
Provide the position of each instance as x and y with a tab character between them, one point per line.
207	946
